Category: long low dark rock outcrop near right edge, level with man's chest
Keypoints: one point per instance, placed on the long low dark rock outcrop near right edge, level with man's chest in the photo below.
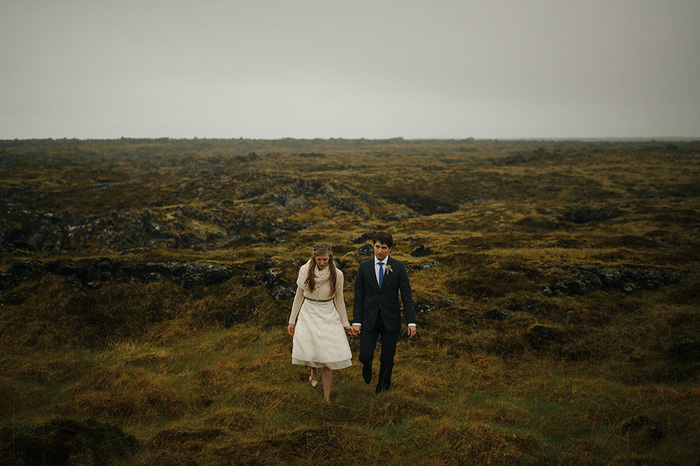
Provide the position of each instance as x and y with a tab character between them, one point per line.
584	279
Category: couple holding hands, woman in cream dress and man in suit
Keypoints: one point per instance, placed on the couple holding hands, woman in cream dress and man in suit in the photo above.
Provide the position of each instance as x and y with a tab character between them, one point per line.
319	319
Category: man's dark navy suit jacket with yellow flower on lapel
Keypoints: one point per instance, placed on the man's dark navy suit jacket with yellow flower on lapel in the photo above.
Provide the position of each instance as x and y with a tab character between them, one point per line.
370	299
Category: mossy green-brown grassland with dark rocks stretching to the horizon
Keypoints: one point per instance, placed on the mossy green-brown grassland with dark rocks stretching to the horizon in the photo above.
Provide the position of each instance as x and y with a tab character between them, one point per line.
557	286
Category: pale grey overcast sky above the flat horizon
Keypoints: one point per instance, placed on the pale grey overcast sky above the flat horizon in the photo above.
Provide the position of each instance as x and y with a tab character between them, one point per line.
349	69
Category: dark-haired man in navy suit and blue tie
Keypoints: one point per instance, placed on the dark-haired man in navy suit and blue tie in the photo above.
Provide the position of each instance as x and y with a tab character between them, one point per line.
377	311
